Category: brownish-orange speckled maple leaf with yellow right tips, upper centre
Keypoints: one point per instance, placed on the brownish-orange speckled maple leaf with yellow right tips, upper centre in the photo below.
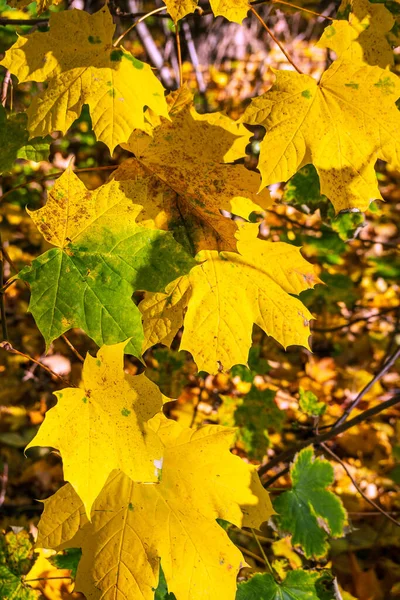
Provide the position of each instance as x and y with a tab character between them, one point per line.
184	163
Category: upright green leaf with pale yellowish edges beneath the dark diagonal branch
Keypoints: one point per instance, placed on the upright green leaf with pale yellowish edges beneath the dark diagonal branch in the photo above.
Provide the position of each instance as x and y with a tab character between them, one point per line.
299	509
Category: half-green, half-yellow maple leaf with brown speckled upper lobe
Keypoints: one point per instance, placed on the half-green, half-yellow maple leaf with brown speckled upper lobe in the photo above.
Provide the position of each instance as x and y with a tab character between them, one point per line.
102	257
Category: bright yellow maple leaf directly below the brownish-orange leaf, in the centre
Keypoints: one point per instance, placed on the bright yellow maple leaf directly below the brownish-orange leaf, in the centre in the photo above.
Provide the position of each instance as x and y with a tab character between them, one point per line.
229	292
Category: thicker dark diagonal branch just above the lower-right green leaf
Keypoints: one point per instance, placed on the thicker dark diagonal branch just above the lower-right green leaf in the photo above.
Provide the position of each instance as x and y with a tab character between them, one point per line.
323	437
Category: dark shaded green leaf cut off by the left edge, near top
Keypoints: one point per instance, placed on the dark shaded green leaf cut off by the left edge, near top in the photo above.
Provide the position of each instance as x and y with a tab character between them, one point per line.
14	141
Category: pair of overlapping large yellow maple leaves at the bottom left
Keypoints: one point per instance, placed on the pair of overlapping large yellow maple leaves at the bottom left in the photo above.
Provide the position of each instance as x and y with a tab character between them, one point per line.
144	489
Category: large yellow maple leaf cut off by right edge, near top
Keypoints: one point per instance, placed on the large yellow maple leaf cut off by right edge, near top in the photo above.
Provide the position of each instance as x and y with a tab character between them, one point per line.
341	125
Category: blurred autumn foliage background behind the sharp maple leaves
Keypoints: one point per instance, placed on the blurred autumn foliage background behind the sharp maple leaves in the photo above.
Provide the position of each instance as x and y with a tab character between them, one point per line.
283	395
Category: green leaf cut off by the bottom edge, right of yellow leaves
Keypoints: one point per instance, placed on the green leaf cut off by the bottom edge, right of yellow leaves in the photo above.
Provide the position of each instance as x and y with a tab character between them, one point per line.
298	585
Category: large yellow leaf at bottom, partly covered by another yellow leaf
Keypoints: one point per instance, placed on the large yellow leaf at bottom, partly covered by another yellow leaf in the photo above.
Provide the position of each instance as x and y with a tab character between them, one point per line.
134	526
